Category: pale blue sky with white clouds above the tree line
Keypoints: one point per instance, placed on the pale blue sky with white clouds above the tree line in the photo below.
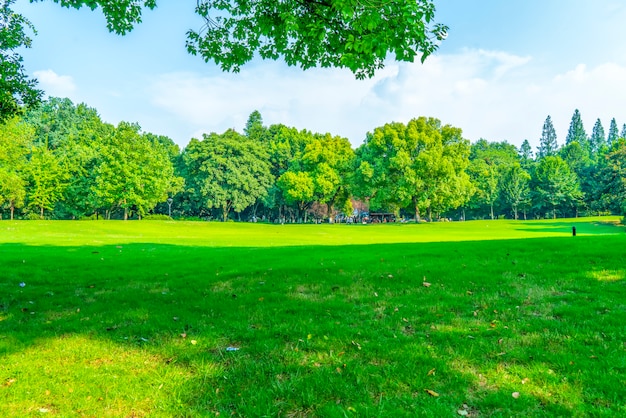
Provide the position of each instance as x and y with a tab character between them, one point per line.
504	67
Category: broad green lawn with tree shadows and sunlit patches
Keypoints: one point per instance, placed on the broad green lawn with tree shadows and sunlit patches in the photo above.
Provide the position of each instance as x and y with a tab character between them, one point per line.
484	318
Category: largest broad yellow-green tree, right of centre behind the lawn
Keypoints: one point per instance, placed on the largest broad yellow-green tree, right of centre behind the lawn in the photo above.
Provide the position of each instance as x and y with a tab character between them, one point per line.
420	166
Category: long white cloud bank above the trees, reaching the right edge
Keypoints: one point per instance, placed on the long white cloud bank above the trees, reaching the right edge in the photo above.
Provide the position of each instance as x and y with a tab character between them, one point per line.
489	94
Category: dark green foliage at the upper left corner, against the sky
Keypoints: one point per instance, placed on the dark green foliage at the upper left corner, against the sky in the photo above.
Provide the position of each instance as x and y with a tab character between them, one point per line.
16	89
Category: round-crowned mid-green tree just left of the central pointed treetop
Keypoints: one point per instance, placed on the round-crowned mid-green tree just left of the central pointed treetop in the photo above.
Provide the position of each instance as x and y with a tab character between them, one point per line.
227	171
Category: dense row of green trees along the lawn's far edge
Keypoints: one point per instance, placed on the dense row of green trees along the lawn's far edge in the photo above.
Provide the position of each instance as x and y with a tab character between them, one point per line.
61	161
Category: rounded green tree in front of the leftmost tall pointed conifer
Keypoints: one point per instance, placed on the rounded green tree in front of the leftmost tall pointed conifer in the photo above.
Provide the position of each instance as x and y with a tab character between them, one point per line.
555	184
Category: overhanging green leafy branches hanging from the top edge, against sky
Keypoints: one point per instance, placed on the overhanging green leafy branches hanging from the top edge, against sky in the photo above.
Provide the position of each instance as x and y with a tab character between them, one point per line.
353	34
